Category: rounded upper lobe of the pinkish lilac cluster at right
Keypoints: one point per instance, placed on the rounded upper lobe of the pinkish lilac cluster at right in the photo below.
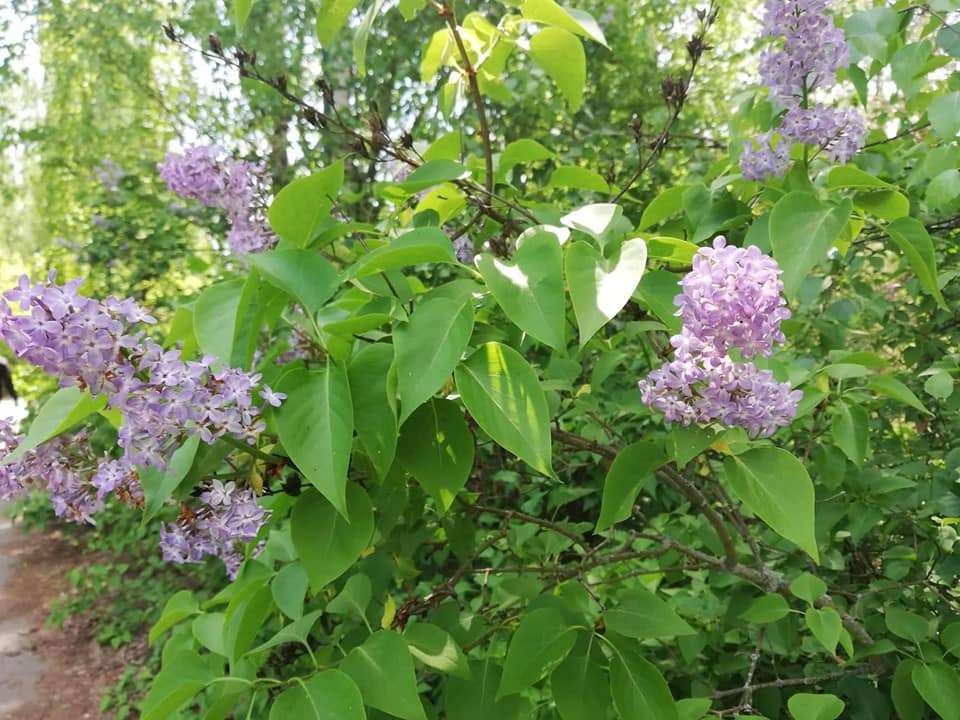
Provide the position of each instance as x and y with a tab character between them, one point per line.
732	299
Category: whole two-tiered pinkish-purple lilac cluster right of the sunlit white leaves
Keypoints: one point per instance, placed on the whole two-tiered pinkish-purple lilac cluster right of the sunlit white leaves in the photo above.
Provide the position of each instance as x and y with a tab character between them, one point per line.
732	299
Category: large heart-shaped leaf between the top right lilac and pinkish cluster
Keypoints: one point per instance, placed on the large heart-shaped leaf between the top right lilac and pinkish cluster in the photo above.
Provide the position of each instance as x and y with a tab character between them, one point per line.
802	229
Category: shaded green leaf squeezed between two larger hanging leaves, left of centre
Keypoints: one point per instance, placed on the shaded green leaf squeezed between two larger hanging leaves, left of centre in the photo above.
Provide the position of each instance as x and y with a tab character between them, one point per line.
374	410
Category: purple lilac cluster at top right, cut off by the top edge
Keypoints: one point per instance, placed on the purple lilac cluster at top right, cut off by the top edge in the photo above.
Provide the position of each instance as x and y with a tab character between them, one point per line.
813	50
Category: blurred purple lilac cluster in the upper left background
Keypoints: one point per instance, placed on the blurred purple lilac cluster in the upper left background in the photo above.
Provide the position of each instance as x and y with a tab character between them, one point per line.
204	174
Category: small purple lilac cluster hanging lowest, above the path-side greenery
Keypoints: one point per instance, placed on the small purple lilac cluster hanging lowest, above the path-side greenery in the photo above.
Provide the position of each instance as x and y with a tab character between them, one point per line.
229	518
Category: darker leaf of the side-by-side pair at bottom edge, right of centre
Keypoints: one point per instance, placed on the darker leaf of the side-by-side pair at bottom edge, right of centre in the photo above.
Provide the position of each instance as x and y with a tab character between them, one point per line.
579	685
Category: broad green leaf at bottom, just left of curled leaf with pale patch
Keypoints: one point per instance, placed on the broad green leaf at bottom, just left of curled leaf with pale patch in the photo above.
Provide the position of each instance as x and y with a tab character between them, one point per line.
383	669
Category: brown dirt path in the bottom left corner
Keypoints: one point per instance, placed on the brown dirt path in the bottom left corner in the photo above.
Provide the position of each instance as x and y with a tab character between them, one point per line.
45	673
